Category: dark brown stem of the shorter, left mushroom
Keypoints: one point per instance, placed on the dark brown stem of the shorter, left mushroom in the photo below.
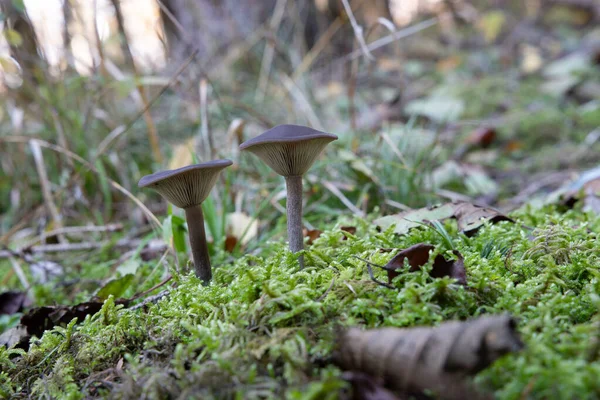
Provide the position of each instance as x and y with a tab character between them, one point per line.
195	220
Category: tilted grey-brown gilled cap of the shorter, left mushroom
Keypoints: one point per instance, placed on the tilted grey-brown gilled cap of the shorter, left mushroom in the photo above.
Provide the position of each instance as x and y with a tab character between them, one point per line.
187	186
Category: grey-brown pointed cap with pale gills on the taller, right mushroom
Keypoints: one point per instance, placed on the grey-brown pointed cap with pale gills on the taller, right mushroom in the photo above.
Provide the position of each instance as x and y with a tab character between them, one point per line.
289	150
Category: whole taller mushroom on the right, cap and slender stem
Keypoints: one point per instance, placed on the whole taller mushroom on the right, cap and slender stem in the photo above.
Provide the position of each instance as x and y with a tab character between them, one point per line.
290	150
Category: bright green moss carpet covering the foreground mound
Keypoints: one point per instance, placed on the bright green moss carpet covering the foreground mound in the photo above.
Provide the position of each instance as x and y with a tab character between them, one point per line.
265	328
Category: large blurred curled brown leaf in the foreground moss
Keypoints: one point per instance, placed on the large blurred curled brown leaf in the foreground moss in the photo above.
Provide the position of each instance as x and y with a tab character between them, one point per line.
437	359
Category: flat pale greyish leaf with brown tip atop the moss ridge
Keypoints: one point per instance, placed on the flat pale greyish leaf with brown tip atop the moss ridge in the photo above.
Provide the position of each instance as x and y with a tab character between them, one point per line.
470	217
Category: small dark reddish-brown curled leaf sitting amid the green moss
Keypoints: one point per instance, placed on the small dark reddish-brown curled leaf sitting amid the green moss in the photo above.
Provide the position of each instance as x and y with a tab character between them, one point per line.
418	256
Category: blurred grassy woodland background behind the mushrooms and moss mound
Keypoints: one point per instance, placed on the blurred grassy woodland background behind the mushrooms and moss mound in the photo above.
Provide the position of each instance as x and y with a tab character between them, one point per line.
433	100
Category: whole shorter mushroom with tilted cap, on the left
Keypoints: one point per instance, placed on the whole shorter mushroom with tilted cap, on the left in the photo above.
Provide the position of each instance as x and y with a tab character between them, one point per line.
187	188
